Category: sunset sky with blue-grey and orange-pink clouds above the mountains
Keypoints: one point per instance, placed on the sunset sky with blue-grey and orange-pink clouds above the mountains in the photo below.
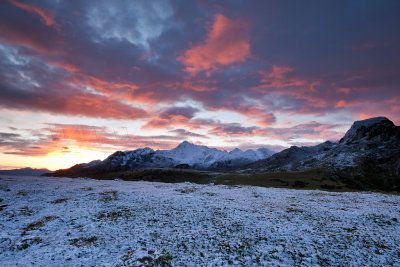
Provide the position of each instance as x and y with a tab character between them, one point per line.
82	79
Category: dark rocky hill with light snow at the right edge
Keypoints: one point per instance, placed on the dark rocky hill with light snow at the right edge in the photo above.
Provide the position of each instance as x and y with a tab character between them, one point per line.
367	156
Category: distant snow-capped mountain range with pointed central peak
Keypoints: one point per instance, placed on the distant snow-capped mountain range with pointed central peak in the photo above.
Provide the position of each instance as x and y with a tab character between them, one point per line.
185	156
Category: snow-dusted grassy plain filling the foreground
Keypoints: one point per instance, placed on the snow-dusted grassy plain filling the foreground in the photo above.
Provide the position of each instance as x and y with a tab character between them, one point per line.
71	222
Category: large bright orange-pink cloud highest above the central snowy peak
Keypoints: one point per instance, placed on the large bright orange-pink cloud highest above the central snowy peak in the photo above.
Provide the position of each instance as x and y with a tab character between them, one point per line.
227	42
